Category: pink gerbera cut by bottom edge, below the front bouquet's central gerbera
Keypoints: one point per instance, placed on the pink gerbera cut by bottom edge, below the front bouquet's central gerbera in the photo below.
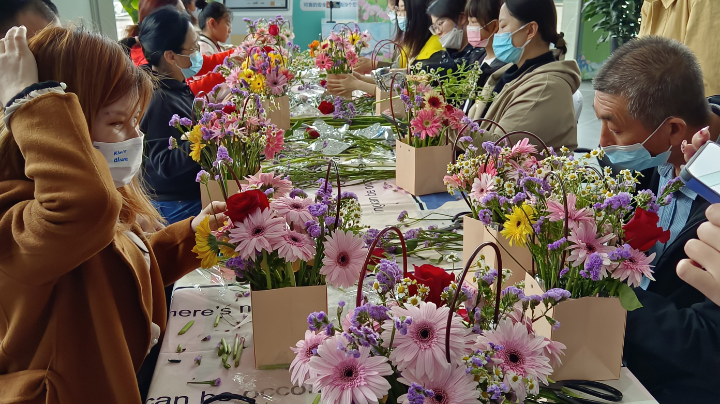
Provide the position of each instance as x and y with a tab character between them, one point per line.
451	385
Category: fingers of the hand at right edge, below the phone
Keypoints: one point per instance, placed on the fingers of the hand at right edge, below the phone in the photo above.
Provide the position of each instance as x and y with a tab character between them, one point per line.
704	252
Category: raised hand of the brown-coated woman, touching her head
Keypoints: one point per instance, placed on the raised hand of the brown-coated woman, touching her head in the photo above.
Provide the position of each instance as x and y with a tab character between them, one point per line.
17	64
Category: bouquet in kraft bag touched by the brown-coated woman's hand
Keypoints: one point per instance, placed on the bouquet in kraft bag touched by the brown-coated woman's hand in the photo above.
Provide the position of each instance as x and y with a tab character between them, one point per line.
287	246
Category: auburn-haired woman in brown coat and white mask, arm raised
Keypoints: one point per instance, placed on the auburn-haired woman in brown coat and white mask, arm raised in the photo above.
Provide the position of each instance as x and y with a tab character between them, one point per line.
81	287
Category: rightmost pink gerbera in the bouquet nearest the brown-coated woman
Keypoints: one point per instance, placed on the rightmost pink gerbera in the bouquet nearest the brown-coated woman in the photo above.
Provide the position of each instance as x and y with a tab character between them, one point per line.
344	258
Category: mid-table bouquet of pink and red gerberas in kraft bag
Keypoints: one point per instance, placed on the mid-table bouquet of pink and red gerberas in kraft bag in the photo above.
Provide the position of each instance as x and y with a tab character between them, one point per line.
423	150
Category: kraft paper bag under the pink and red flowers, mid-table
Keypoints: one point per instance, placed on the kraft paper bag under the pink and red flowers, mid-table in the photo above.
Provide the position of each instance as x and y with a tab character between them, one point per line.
420	171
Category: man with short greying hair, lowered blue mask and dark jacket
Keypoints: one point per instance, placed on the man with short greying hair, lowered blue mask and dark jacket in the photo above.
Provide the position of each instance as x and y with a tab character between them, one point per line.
650	96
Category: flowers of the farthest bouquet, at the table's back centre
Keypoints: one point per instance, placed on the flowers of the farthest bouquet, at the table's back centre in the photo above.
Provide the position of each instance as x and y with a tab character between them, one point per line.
339	53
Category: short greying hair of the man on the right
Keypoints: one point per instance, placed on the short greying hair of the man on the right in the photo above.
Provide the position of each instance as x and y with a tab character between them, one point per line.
659	78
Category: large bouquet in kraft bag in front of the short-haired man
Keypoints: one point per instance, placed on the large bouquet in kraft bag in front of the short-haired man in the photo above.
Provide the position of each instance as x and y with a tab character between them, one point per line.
585	230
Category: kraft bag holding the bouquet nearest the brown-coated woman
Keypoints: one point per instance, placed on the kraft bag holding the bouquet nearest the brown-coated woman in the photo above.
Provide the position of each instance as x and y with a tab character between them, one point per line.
280	320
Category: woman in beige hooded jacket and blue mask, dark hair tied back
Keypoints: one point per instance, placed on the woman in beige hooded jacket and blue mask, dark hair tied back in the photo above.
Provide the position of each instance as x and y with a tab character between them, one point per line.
534	91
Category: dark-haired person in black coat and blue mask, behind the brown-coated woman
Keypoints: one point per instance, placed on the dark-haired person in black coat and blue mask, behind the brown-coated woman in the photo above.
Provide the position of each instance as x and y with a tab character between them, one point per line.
170	45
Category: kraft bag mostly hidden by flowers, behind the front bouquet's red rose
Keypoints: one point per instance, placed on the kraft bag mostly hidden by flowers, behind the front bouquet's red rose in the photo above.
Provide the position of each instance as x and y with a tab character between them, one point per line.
517	259
